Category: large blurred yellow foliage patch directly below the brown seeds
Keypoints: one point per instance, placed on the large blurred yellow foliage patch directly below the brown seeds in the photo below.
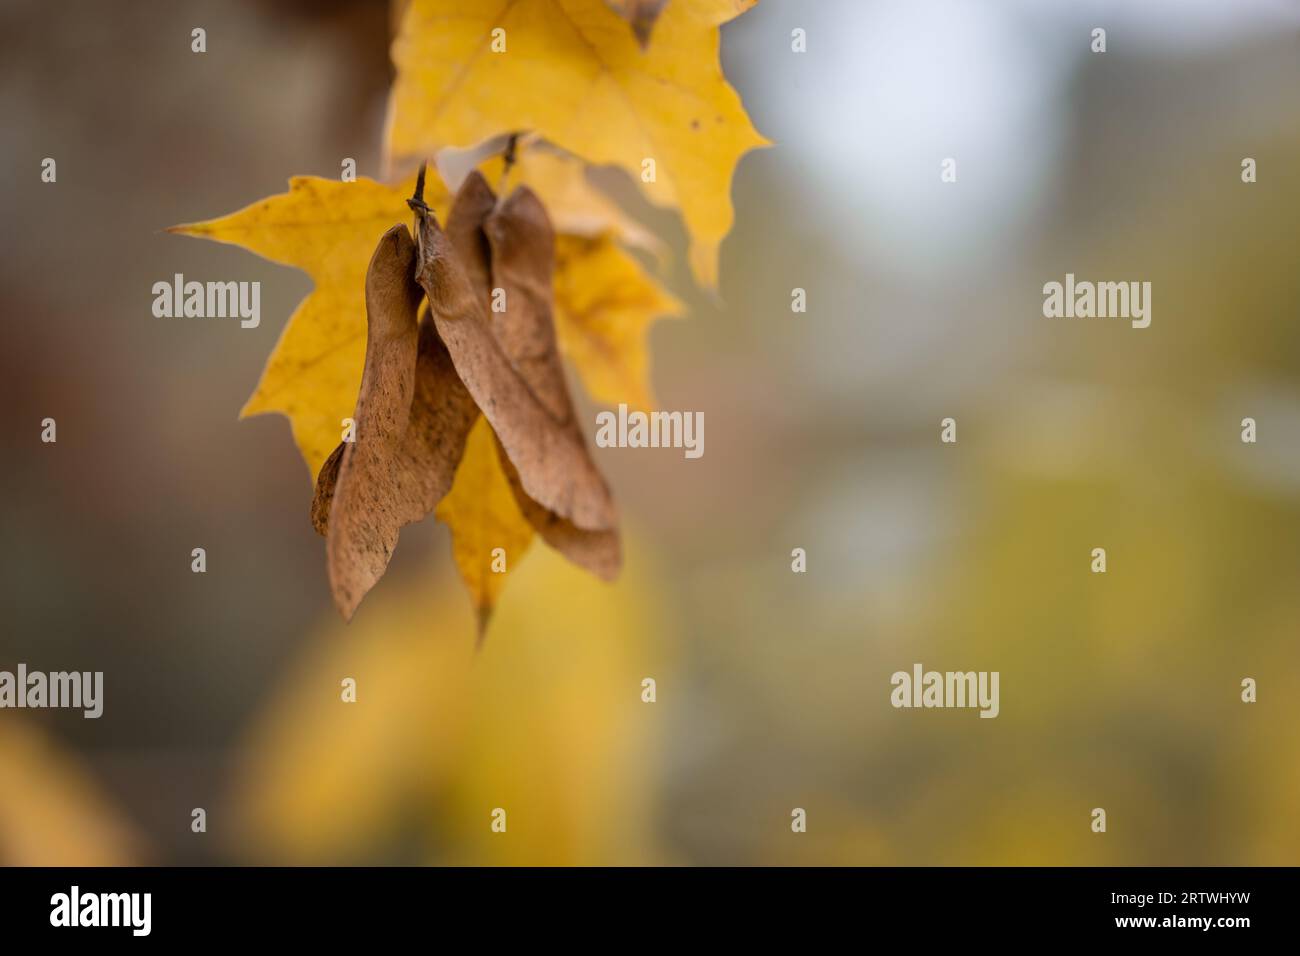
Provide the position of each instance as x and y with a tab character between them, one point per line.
545	723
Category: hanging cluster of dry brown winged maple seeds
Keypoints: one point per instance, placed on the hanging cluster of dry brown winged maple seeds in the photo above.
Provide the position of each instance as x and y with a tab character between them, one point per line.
426	383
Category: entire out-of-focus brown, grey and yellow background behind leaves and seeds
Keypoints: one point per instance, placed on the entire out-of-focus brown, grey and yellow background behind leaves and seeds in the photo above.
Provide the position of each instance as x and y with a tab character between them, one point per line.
925	301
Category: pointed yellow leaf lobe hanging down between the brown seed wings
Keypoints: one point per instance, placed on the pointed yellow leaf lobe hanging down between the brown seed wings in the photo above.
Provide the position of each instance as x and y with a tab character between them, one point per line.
480	509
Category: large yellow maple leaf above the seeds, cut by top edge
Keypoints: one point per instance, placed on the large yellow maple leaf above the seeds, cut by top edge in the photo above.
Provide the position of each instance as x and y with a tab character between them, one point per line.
574	73
